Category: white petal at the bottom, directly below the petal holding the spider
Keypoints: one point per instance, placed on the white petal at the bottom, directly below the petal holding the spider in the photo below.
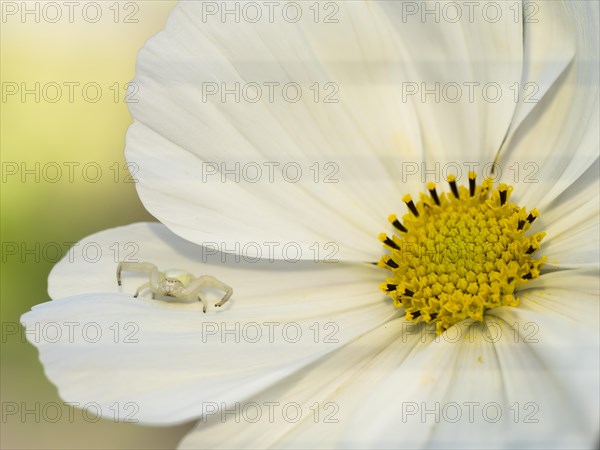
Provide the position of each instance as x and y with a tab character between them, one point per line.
306	411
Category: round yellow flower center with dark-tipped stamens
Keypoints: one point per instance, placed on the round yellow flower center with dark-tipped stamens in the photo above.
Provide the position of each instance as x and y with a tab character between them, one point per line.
457	255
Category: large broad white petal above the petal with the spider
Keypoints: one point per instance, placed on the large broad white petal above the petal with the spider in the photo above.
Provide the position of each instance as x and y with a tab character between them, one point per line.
366	147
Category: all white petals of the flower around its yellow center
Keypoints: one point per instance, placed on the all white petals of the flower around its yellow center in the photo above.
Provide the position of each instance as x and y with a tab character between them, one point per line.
318	340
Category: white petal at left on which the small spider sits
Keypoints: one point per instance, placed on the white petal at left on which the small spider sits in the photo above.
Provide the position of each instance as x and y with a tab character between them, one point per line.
162	362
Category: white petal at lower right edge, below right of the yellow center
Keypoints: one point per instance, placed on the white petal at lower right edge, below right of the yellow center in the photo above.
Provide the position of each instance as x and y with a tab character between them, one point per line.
560	316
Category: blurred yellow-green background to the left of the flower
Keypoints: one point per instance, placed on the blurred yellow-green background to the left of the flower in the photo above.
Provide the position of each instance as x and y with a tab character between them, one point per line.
94	46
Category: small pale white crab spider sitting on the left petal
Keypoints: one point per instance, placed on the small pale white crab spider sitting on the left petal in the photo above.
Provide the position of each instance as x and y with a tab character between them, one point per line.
174	283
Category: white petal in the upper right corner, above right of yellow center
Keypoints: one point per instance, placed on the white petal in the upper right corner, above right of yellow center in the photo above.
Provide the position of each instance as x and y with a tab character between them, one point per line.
559	139
